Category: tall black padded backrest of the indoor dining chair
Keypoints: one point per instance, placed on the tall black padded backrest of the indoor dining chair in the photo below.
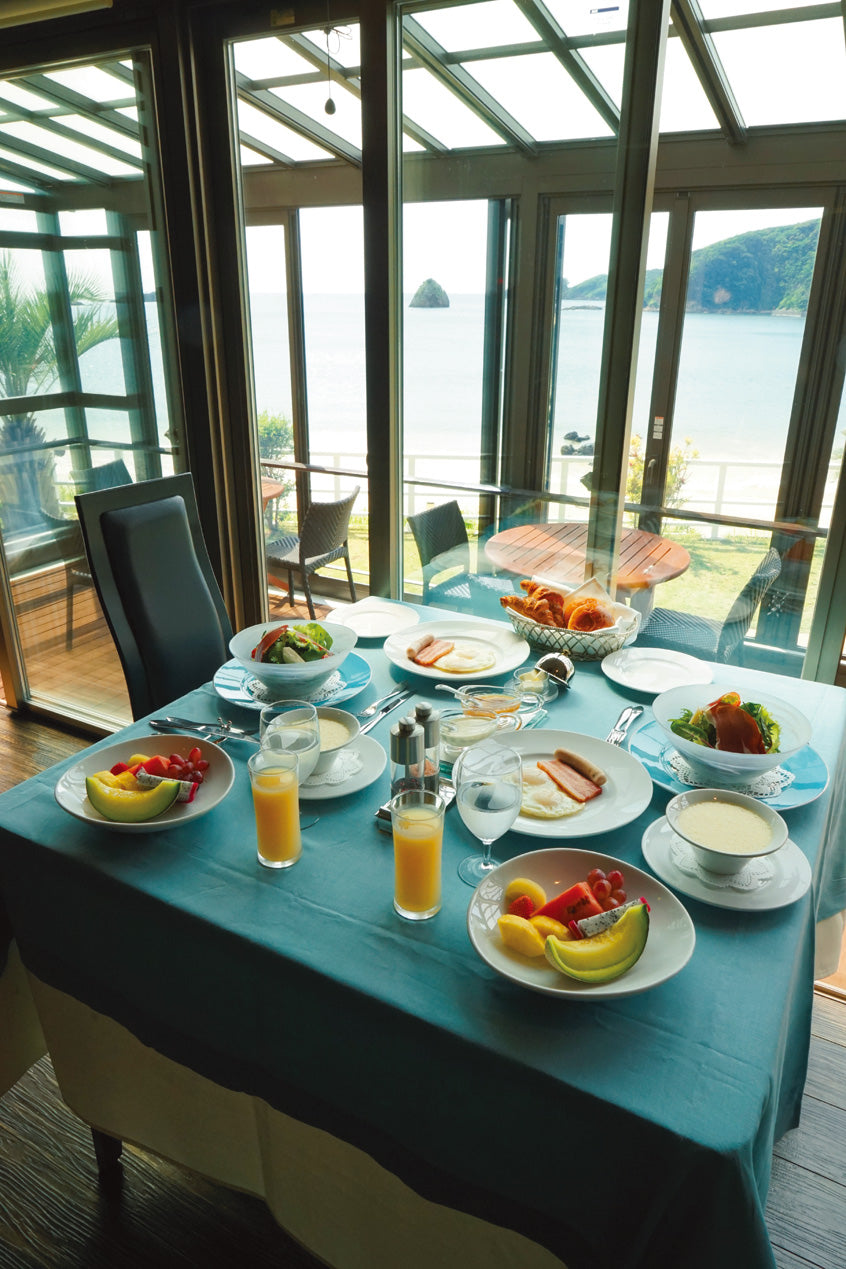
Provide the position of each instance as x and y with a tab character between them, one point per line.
157	587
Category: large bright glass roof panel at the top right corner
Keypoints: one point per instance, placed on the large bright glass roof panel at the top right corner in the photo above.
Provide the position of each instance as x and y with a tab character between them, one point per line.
795	73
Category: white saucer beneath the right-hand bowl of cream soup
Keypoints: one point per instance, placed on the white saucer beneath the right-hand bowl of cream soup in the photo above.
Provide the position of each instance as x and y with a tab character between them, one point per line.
790	883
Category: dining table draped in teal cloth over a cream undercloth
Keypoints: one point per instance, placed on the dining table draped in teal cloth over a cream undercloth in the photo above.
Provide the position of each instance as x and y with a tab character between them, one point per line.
390	1095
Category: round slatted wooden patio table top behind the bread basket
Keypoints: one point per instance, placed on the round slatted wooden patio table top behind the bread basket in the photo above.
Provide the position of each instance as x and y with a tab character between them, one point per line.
556	551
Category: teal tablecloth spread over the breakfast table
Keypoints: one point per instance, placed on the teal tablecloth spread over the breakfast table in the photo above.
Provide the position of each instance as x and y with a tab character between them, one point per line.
636	1133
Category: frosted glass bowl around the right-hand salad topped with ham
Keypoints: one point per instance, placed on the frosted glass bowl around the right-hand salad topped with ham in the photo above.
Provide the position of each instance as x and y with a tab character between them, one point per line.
724	767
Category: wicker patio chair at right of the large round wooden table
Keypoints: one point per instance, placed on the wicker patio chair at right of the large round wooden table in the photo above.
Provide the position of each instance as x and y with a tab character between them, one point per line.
706	638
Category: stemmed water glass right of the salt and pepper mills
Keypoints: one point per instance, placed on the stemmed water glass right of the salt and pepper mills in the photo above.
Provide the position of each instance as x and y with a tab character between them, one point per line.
489	790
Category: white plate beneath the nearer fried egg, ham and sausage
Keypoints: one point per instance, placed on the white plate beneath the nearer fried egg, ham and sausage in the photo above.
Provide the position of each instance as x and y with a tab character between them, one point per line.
627	792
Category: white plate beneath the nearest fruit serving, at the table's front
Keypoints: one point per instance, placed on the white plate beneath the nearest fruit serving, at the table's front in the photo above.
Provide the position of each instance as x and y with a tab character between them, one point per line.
668	951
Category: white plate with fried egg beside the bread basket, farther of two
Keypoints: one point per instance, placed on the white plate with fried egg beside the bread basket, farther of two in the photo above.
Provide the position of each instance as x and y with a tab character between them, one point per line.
483	649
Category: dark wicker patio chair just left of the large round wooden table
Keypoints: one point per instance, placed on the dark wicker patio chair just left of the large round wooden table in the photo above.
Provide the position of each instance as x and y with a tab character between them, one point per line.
443	546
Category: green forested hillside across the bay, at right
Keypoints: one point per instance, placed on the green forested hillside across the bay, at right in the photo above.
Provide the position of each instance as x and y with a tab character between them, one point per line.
764	271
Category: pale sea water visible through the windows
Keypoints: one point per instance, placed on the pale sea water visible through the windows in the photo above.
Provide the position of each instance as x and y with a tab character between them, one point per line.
735	393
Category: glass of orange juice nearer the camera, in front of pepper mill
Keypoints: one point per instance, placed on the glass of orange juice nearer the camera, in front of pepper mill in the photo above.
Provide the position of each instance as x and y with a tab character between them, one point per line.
418	827
